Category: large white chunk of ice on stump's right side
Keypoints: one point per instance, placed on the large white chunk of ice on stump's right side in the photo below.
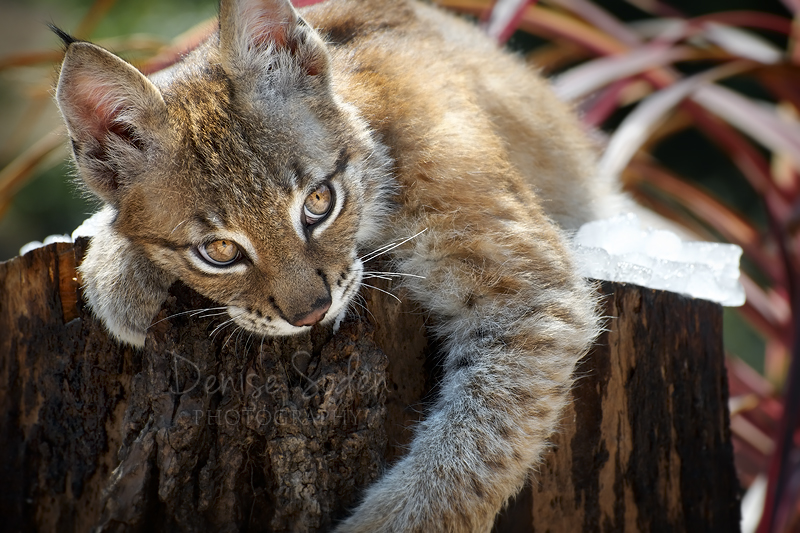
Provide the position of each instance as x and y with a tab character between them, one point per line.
617	249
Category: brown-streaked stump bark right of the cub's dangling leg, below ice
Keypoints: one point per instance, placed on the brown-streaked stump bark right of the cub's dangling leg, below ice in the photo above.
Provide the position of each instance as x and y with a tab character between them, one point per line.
646	445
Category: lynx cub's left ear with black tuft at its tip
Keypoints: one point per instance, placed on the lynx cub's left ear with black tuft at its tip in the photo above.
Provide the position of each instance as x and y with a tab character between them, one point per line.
112	111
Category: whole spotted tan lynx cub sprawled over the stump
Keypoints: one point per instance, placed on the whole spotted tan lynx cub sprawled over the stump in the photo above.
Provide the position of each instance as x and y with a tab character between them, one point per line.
263	165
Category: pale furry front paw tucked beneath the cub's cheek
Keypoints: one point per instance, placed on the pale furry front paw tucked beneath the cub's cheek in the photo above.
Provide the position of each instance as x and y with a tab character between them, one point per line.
124	289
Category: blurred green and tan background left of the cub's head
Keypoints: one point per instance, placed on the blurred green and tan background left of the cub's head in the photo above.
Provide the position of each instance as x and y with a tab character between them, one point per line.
48	202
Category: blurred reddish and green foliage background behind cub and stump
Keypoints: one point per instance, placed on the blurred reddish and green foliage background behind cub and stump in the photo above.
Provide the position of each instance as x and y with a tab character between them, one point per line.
728	174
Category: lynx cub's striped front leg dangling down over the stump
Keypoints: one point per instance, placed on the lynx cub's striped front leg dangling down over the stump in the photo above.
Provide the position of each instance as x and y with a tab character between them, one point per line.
514	319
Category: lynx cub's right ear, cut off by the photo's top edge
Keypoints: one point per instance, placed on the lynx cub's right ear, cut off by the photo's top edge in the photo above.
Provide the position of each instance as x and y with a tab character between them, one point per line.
254	32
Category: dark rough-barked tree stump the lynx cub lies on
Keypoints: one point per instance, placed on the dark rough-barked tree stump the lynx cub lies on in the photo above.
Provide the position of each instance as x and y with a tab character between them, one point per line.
210	429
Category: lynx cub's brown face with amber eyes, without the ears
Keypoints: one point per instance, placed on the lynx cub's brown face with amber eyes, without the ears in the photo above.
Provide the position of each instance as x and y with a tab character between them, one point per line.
258	203
